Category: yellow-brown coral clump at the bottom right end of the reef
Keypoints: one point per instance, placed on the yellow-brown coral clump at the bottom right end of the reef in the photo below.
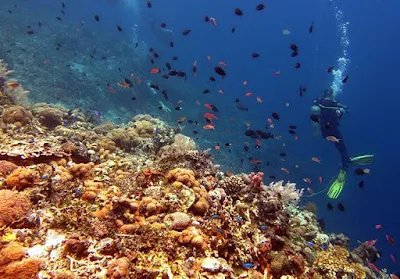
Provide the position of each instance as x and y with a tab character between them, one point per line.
335	260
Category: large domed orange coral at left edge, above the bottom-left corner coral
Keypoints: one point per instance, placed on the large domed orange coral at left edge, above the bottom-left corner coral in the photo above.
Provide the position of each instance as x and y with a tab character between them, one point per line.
13	207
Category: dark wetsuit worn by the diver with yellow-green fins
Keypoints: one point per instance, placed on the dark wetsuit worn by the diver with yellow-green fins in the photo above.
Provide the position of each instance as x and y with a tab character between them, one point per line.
329	124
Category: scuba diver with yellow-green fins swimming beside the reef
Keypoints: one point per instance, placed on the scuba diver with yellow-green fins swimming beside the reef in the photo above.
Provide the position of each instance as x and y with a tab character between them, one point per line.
326	113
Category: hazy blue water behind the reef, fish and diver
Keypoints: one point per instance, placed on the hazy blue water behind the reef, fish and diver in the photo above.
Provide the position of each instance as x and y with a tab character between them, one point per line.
370	50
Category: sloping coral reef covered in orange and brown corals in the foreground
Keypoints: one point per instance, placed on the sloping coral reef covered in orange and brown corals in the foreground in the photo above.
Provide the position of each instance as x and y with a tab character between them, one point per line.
82	198
